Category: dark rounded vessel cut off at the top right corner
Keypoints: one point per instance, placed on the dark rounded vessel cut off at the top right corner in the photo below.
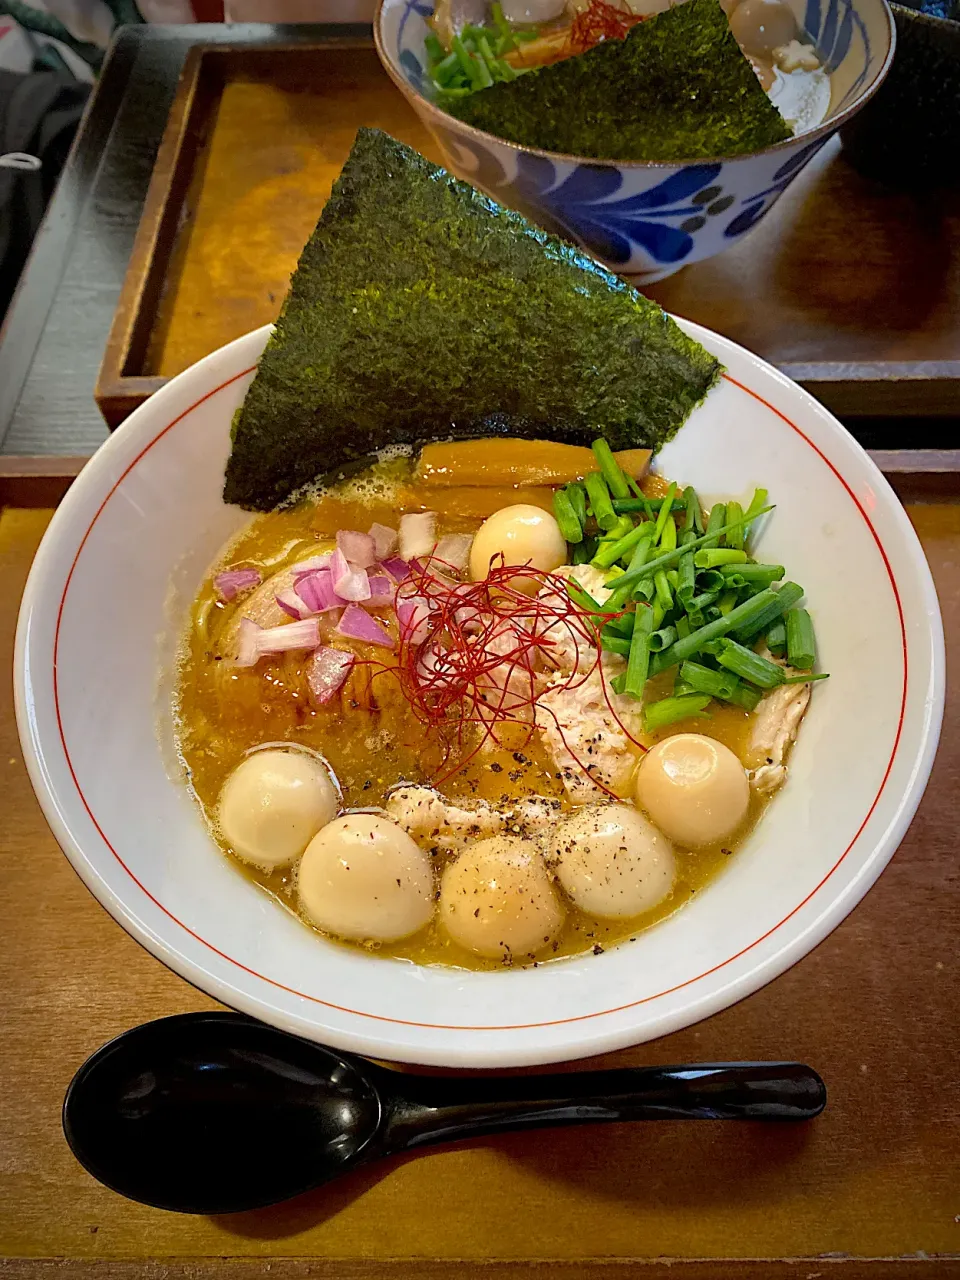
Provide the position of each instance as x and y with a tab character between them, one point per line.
908	136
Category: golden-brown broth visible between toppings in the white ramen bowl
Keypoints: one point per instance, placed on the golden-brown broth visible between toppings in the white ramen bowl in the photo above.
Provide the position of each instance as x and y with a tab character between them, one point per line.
368	734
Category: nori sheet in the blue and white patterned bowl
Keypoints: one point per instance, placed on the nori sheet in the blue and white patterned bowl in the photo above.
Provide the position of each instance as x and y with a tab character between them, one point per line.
678	88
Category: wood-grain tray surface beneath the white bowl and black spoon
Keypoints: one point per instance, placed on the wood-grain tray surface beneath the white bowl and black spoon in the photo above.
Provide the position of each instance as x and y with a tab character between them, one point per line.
871	1188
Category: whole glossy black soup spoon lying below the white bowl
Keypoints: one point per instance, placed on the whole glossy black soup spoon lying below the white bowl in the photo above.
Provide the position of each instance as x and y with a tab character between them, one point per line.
218	1113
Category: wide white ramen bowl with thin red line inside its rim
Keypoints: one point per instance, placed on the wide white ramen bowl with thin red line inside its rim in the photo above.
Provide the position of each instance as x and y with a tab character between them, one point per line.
109	595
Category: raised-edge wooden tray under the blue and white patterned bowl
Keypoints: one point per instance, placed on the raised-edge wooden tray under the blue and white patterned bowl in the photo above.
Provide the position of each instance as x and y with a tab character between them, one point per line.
851	290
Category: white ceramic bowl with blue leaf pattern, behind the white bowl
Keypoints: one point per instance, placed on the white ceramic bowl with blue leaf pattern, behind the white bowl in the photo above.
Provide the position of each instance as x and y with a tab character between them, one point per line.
646	221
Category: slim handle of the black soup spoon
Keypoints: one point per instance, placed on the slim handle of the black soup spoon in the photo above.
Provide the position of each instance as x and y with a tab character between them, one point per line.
442	1109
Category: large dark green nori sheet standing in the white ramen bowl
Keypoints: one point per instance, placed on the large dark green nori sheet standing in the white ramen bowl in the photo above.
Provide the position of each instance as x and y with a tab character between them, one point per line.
422	310
